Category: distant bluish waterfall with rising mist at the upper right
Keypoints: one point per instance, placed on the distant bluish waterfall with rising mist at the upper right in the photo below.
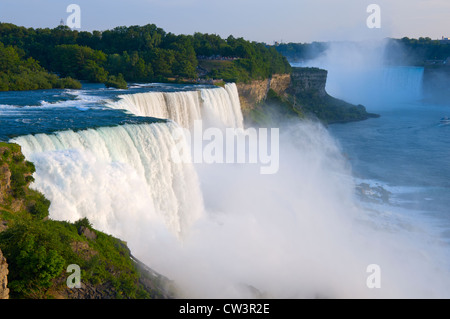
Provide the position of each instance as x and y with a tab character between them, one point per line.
357	73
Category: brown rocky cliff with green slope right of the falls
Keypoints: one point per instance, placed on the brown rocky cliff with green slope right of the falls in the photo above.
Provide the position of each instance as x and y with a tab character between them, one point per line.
301	93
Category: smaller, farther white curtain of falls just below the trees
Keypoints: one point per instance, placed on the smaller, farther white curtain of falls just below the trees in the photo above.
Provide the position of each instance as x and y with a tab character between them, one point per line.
217	106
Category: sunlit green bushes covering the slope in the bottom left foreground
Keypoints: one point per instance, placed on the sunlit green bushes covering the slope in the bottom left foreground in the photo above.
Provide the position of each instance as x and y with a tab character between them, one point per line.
39	251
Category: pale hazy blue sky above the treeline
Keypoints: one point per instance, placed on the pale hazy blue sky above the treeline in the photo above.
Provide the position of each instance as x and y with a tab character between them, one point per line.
258	20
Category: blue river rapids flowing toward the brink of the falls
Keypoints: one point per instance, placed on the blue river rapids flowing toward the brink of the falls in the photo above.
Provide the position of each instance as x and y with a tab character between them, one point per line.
46	111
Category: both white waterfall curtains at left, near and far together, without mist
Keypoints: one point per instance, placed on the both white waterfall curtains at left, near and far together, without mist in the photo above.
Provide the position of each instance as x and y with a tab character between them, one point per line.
134	171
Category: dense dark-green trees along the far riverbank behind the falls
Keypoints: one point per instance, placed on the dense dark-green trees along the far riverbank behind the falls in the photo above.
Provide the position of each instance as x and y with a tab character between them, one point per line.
141	54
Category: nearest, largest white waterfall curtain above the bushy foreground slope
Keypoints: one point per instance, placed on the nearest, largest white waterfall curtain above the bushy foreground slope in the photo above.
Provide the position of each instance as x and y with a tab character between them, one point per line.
113	175
